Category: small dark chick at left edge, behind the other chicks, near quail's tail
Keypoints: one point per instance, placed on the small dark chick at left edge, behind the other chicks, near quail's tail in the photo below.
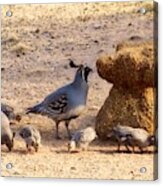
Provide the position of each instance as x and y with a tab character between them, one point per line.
9	111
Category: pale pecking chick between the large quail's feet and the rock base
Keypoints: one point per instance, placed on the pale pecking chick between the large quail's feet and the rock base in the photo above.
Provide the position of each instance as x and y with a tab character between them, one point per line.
82	139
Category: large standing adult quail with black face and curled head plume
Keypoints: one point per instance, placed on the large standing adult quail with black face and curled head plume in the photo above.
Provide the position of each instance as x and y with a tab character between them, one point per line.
68	102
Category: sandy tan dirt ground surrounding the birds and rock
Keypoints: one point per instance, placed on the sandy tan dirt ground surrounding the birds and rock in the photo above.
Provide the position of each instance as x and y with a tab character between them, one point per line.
37	42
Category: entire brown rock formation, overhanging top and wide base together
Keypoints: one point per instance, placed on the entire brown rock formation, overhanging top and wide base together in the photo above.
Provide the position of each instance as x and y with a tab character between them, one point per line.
133	96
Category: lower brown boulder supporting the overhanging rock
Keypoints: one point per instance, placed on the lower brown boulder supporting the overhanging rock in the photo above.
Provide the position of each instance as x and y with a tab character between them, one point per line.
136	110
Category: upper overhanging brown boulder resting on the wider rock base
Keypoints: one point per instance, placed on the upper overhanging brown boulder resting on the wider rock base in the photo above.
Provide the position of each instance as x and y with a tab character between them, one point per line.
132	66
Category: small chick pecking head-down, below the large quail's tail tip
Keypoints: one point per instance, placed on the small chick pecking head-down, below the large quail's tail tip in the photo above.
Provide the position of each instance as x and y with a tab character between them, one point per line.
31	137
